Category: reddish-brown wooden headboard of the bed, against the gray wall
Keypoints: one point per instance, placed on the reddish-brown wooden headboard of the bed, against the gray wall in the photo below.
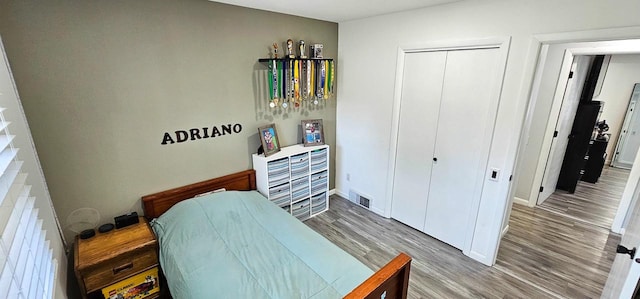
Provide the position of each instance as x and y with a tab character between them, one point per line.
156	204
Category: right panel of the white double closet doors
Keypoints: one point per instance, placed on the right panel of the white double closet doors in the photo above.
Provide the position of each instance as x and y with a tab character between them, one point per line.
465	125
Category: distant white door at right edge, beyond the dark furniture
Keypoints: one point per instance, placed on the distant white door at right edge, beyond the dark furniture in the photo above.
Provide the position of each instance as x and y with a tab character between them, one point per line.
629	140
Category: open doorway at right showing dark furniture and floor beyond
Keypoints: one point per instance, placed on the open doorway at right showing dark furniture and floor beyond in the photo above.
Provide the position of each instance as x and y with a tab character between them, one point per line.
591	199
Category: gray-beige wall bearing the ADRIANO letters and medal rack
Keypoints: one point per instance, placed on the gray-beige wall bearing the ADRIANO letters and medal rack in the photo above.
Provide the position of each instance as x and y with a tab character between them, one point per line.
102	81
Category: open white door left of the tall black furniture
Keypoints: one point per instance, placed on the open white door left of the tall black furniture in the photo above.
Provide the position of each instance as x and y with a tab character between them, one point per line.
573	90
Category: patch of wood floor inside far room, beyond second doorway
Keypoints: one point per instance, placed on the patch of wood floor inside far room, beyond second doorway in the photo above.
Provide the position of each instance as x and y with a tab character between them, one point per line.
592	203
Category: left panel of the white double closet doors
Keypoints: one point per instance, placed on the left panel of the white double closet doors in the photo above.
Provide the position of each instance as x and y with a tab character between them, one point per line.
419	104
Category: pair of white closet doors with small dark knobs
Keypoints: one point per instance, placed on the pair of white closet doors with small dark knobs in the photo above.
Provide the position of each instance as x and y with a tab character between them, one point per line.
447	113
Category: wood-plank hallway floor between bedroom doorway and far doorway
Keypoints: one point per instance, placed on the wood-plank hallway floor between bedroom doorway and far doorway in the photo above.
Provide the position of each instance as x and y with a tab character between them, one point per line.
563	257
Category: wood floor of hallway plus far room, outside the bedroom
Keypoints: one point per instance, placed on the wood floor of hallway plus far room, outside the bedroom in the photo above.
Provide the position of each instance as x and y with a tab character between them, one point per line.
568	236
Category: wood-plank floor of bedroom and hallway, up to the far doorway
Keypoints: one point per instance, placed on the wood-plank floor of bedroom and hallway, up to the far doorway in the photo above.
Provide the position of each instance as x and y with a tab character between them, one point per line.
544	255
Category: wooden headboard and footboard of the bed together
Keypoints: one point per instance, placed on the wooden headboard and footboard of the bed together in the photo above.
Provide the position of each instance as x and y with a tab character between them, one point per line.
390	282
